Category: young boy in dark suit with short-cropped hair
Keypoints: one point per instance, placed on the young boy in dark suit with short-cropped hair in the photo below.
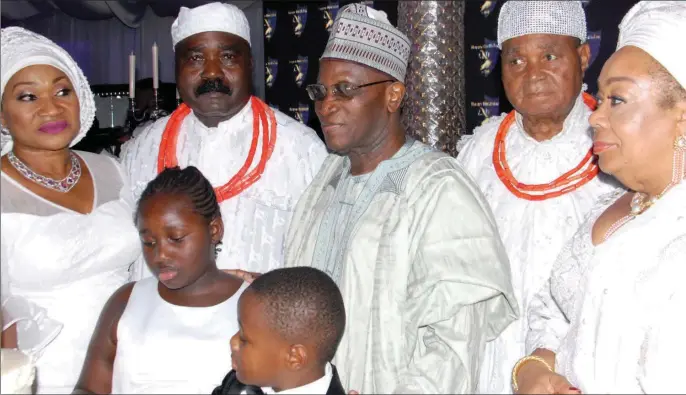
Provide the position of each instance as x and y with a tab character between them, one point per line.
290	324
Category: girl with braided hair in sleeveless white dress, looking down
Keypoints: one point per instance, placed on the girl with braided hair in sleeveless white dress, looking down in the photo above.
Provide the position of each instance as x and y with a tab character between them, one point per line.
169	334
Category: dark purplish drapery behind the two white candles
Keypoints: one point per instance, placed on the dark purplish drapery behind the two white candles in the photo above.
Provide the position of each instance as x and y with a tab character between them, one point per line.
100	35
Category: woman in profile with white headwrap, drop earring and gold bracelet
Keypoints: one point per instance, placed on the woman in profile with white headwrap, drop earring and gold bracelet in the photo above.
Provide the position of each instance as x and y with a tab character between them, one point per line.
611	319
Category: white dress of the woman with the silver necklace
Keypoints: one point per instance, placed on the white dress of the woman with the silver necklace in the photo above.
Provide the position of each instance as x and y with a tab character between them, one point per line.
59	267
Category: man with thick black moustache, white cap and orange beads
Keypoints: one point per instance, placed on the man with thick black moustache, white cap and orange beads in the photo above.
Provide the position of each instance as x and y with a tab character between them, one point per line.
258	159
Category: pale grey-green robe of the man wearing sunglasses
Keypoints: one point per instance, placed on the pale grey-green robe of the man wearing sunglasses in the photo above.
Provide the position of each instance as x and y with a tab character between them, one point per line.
423	273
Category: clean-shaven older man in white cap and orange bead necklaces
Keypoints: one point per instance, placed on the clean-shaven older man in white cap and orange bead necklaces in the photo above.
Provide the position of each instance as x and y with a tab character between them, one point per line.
535	165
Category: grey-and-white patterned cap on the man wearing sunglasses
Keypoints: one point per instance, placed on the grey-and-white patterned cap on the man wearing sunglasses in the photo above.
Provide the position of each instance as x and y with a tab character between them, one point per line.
364	35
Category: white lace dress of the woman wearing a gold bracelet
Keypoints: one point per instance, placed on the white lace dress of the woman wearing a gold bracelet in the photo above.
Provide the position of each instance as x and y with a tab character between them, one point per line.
615	314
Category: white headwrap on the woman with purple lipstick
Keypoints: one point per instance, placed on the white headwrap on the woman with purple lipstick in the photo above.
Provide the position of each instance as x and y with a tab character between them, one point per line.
21	48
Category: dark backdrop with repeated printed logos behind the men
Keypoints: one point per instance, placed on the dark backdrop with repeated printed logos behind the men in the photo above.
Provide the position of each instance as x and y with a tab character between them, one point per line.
295	35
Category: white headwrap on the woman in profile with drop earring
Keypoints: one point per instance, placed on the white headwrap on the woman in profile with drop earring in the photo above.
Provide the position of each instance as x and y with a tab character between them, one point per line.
659	28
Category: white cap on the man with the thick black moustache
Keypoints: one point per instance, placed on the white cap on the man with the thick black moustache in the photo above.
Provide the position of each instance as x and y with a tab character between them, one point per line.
212	17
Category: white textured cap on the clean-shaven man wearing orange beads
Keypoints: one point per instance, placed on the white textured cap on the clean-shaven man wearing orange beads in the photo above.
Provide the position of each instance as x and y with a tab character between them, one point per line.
518	18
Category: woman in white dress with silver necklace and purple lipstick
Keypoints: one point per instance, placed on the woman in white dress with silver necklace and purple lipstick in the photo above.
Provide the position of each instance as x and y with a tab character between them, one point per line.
67	237
